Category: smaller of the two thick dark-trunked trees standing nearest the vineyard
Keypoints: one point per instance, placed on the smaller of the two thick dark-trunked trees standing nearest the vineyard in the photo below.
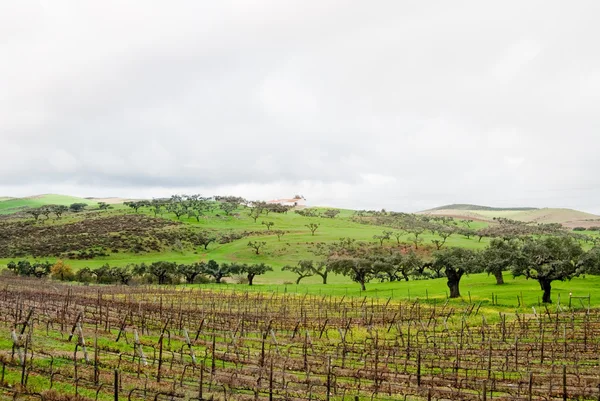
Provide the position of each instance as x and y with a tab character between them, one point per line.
456	262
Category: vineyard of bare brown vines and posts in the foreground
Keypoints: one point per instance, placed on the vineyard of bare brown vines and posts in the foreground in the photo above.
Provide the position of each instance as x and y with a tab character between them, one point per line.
61	342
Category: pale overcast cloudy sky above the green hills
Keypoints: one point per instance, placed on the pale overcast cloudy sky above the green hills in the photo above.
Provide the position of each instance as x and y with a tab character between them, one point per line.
402	105
